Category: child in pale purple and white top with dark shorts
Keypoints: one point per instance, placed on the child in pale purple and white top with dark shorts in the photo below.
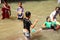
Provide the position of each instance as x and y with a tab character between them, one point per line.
20	11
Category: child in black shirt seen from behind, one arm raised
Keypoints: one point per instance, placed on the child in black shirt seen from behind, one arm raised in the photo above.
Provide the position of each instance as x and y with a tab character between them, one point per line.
27	24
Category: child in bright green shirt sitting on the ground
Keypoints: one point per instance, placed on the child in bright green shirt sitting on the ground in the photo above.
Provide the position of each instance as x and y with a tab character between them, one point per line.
49	24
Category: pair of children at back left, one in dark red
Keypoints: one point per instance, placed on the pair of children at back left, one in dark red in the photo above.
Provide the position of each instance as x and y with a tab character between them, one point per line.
6	11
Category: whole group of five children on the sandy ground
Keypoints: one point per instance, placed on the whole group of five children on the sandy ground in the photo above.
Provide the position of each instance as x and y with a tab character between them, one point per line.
50	22
